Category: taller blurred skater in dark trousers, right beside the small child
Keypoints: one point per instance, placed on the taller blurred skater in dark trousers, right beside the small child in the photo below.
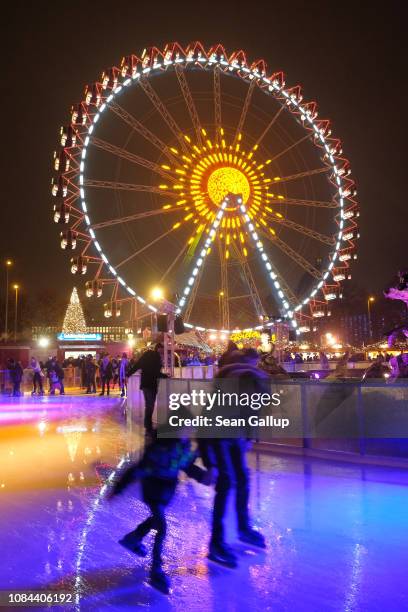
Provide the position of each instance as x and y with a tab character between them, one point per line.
228	457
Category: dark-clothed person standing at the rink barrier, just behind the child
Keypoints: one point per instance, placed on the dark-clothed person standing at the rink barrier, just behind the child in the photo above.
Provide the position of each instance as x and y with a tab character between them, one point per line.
150	364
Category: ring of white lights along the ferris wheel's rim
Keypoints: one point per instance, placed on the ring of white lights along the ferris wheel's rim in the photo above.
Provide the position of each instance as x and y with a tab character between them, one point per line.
270	87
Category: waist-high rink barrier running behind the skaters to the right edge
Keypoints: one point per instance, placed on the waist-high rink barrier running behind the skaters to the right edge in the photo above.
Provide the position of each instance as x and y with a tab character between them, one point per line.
346	419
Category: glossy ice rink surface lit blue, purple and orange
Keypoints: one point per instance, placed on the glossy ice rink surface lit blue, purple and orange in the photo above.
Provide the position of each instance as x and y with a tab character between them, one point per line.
337	533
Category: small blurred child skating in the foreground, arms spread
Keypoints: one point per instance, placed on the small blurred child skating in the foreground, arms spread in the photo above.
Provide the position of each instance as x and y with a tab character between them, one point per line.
158	471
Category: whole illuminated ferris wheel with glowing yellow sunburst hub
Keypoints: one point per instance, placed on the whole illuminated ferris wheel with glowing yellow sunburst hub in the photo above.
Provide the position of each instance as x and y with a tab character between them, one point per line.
200	173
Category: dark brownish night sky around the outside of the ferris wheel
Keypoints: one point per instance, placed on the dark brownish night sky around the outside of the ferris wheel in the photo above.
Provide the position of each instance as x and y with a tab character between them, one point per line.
351	60
